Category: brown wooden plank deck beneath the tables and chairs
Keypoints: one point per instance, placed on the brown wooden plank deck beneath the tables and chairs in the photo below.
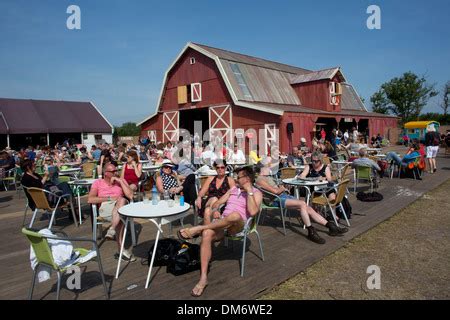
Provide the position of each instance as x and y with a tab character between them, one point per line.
285	255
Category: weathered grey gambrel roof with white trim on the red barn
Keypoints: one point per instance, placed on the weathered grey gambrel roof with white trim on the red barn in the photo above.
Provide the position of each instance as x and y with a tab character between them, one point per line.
257	83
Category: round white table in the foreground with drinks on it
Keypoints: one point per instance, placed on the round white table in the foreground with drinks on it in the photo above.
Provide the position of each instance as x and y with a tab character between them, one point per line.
158	214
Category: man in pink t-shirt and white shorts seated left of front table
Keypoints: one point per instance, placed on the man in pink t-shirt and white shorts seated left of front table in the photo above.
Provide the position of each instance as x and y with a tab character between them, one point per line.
112	193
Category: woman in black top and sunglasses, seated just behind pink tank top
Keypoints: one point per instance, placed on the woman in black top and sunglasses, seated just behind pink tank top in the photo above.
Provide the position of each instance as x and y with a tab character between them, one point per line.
213	189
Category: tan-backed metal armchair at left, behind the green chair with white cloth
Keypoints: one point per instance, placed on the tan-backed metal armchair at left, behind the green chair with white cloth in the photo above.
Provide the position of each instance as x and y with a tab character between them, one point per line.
40	200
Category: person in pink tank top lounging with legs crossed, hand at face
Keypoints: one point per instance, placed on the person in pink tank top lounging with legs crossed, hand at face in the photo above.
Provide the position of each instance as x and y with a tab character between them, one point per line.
242	202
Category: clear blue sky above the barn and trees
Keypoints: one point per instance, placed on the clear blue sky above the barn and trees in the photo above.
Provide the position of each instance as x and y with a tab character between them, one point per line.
118	58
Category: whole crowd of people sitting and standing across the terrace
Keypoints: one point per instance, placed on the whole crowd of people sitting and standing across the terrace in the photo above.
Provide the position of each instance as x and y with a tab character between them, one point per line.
225	202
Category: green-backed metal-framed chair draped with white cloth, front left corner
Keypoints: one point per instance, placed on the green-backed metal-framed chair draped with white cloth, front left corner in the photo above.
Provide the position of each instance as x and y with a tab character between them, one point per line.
44	257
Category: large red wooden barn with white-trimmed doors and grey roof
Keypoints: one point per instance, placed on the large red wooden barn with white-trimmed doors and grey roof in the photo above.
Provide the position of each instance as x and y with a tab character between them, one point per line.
234	93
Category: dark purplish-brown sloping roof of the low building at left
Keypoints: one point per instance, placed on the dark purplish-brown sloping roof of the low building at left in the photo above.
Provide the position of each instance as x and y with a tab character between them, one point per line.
46	116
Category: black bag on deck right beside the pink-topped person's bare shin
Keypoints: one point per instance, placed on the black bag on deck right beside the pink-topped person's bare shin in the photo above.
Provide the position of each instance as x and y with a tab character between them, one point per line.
185	260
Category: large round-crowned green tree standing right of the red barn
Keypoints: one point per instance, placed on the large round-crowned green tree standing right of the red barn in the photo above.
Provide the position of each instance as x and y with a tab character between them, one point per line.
407	95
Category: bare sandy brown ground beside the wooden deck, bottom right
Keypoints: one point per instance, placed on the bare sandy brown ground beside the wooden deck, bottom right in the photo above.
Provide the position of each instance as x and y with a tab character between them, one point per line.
412	250
